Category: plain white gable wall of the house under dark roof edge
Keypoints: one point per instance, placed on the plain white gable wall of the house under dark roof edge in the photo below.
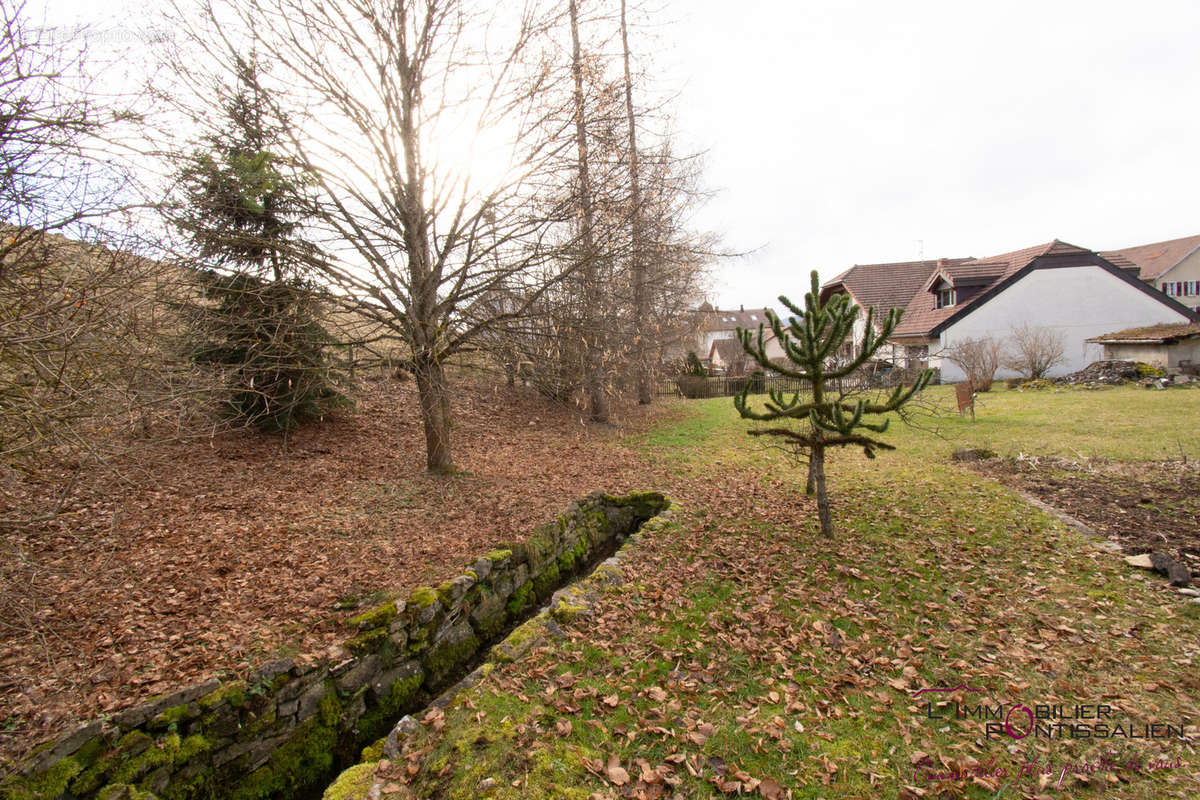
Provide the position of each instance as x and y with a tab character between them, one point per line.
1081	302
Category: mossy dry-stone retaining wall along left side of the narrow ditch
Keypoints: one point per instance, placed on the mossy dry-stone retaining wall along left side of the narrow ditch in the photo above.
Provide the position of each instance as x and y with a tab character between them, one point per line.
286	730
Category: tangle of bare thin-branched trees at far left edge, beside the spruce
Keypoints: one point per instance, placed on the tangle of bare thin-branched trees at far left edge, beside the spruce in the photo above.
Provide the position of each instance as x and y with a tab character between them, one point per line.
81	334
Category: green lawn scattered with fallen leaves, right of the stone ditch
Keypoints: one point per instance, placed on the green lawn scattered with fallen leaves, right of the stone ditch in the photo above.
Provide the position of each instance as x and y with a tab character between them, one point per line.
749	649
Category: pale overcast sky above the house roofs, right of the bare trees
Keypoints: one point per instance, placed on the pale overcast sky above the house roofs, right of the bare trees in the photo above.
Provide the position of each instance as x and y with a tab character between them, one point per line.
844	133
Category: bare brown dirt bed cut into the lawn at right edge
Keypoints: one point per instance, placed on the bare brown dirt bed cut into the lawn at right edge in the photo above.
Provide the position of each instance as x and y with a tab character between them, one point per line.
1148	507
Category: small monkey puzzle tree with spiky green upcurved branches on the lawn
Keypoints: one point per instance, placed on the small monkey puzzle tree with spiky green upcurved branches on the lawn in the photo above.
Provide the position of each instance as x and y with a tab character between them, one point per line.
826	417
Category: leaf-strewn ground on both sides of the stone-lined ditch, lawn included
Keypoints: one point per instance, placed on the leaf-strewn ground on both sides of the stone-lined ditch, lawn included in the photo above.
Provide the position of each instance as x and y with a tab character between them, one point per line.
746	654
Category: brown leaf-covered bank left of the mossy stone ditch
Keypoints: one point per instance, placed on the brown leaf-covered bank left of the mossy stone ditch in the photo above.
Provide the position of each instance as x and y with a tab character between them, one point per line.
218	556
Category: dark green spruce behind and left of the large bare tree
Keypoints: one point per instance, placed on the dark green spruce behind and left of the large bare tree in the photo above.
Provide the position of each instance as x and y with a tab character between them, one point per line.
260	326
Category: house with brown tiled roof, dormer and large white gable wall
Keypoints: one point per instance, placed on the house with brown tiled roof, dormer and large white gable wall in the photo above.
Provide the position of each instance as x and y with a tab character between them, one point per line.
1067	288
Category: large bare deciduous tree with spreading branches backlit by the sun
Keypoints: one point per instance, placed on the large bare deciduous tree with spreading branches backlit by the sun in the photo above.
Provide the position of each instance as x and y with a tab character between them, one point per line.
373	94
